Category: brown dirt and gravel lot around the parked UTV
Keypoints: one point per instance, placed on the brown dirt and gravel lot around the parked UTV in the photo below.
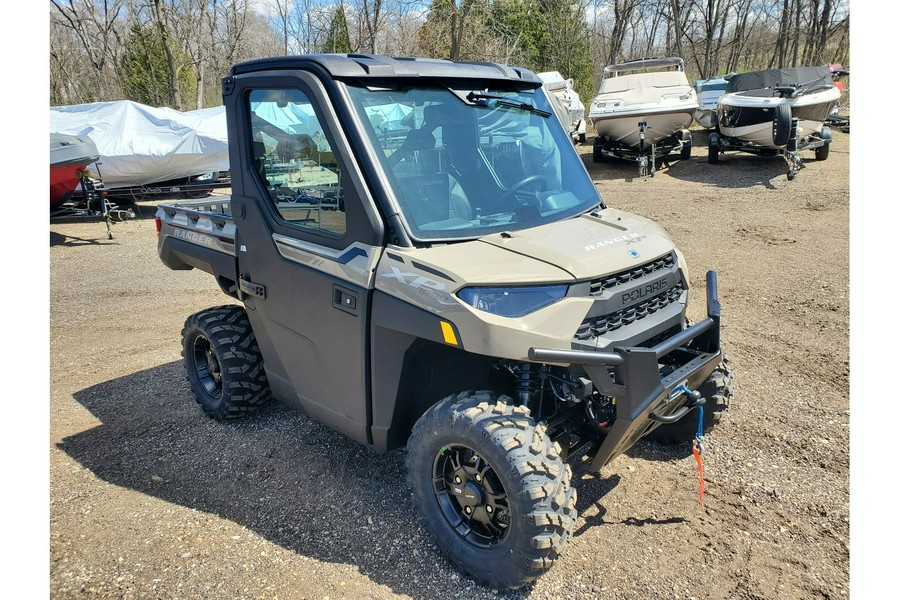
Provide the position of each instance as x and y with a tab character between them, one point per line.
151	499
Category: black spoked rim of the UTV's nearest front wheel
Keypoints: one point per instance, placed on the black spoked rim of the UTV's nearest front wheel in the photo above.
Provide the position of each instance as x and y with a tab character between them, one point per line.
471	496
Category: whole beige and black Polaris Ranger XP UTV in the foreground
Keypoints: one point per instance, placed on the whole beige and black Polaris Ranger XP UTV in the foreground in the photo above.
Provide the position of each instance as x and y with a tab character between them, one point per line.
423	260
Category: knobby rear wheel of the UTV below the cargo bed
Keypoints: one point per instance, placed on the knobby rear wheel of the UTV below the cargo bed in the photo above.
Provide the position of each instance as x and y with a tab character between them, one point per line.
223	362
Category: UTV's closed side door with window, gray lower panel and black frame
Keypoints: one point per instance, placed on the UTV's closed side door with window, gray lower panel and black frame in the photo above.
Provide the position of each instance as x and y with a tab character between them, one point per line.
308	239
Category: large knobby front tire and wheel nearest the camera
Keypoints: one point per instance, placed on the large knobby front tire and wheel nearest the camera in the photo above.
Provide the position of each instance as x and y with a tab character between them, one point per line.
493	490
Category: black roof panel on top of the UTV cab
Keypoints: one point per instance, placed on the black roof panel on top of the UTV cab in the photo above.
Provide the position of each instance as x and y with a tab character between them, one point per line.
364	66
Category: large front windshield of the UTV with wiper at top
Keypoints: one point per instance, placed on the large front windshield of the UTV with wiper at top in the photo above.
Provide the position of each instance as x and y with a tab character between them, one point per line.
464	163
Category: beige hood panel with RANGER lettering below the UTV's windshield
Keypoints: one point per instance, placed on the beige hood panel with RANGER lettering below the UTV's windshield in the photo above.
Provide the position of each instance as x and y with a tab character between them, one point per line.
581	249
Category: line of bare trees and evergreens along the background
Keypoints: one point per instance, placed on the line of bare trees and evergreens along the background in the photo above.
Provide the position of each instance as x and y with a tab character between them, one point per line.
175	52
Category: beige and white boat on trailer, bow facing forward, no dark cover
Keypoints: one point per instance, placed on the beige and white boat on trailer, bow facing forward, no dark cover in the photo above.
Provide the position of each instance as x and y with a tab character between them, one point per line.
643	110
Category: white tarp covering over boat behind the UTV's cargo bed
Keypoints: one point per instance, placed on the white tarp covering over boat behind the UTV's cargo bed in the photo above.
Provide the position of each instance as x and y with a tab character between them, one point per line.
139	144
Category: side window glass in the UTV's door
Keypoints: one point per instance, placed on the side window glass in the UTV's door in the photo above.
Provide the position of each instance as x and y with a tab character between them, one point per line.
295	162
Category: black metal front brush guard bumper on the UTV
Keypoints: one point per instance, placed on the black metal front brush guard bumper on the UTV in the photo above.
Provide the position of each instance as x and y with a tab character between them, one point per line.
645	398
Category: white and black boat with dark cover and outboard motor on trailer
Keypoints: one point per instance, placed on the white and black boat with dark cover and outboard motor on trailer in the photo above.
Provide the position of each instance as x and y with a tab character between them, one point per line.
776	111
